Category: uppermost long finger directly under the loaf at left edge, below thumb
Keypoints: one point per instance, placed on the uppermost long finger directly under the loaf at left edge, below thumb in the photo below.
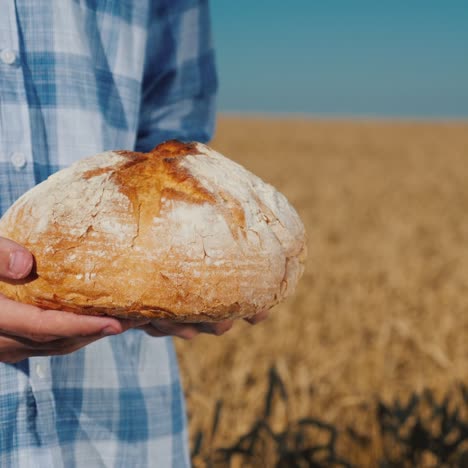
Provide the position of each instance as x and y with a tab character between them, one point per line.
44	325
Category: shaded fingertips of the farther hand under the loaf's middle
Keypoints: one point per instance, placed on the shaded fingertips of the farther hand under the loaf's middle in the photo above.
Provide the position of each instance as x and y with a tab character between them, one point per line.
189	331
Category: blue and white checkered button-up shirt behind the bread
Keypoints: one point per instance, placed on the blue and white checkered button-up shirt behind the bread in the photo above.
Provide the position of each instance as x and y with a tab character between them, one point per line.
78	77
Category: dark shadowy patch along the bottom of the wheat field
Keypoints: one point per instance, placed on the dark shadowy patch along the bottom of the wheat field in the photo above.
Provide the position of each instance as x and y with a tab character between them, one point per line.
422	432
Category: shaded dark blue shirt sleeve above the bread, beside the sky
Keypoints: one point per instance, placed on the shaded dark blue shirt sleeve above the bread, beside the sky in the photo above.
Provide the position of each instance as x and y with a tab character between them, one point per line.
180	81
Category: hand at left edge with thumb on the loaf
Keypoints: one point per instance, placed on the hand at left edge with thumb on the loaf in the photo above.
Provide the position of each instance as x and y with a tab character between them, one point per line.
27	331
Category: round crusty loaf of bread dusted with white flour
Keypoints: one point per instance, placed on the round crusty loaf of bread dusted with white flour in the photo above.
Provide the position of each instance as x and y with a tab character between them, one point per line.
181	232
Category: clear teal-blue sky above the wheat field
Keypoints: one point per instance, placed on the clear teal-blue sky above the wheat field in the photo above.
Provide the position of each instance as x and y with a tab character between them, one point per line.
343	57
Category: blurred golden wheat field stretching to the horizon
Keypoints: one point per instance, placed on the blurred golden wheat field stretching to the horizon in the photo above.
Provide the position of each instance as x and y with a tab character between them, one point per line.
382	309
